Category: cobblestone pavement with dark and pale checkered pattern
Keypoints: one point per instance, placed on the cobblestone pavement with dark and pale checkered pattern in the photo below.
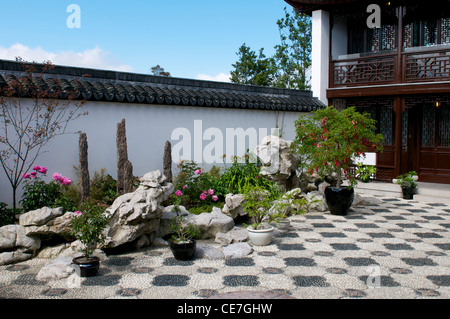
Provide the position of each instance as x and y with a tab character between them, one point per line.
399	249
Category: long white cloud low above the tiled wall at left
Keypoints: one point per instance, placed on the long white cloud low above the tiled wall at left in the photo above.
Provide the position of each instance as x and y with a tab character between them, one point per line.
90	58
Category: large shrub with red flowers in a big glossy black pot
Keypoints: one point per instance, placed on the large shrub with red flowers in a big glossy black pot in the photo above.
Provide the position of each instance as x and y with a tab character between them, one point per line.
327	141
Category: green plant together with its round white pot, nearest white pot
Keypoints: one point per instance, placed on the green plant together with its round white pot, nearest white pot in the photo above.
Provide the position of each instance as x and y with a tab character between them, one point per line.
257	203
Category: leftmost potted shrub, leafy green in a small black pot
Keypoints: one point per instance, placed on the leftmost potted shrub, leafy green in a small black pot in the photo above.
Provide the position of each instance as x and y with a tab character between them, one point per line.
87	226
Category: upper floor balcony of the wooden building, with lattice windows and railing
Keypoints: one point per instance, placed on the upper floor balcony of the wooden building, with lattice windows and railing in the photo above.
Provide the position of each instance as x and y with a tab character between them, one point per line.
412	46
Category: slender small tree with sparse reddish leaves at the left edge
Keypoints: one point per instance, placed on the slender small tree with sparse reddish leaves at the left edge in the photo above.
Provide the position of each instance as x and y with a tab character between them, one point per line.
31	115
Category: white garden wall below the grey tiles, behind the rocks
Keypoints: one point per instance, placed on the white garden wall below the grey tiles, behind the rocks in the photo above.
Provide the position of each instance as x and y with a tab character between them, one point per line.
148	128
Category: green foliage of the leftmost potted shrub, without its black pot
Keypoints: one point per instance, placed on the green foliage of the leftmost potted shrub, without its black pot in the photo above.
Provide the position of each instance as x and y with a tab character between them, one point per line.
88	226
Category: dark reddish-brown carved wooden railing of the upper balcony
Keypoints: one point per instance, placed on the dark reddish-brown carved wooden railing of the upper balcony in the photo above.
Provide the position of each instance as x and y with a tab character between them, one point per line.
414	66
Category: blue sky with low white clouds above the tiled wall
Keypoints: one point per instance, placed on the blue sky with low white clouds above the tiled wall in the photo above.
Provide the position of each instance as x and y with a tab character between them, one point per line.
190	39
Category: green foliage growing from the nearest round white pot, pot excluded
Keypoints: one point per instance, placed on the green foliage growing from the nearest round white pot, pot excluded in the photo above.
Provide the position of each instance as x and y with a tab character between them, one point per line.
257	204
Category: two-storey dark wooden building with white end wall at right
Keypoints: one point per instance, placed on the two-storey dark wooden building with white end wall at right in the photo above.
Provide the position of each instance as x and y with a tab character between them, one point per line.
398	71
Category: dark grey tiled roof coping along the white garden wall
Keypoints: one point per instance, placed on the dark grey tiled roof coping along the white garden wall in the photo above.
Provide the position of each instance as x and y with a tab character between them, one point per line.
123	87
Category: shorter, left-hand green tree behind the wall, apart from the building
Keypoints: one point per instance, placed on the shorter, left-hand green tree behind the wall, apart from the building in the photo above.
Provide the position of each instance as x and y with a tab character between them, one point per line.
253	69
